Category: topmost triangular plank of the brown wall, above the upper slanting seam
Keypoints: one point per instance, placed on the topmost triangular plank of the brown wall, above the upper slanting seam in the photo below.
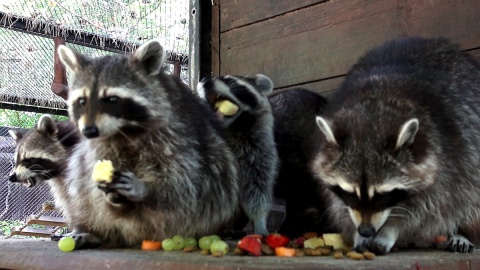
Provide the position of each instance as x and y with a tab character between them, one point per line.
236	13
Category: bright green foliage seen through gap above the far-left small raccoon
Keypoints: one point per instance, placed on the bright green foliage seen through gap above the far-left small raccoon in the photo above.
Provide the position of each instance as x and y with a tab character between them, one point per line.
21	119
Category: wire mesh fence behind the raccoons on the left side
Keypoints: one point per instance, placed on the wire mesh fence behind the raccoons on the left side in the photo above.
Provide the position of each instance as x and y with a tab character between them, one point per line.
27	29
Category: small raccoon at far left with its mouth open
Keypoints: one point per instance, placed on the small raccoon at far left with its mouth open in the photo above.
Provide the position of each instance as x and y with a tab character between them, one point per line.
41	154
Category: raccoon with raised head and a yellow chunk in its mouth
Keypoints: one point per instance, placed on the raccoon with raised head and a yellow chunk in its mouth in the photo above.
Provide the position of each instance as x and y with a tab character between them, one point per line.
250	135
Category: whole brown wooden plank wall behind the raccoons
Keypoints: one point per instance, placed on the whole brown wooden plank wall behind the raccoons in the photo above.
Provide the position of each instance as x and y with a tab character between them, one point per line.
313	43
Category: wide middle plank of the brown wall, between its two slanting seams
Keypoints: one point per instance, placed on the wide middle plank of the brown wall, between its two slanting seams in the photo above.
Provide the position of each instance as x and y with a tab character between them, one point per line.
323	41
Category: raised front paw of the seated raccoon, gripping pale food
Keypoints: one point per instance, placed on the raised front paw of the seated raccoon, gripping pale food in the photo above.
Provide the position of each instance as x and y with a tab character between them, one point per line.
127	185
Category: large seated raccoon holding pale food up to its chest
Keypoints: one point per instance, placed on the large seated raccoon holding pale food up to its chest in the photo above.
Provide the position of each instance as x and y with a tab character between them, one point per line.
174	173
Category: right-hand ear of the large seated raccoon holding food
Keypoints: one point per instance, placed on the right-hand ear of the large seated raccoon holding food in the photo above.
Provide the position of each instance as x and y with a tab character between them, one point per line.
149	57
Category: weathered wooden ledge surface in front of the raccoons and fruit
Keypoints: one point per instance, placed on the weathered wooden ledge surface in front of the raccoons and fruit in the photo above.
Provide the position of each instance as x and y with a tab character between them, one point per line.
44	254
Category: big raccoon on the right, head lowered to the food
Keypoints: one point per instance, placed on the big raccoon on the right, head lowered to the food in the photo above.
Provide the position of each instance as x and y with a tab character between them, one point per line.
398	146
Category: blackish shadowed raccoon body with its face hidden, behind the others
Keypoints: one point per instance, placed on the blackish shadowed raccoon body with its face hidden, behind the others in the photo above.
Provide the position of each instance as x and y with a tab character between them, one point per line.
294	112
